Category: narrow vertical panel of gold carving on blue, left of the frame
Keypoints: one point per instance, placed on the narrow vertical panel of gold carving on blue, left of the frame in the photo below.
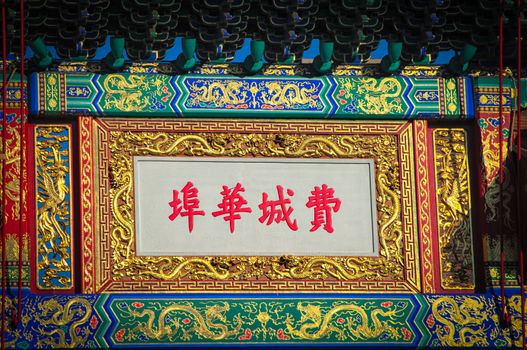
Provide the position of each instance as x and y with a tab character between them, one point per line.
53	207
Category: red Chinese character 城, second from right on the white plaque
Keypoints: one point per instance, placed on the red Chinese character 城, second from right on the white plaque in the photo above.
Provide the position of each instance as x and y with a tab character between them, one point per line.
278	210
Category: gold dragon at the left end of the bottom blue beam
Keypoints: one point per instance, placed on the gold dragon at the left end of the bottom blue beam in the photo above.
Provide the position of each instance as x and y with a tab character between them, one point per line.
60	318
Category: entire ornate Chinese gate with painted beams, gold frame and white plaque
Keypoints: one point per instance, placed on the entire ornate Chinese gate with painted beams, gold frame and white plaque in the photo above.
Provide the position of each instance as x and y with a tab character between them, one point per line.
230	204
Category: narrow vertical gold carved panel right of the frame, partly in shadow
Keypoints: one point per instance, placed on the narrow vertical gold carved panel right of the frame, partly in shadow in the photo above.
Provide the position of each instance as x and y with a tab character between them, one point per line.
453	209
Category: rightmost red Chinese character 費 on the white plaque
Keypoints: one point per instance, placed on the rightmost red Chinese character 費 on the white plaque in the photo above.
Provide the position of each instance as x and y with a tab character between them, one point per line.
323	202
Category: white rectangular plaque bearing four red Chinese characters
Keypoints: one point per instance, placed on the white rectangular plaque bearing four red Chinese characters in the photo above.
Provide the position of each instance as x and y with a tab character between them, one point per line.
328	207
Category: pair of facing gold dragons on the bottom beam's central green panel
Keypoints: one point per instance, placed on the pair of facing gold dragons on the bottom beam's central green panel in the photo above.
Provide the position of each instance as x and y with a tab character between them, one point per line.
316	322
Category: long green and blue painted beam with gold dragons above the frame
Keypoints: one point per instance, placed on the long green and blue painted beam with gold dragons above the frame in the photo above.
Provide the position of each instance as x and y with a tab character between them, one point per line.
228	96
